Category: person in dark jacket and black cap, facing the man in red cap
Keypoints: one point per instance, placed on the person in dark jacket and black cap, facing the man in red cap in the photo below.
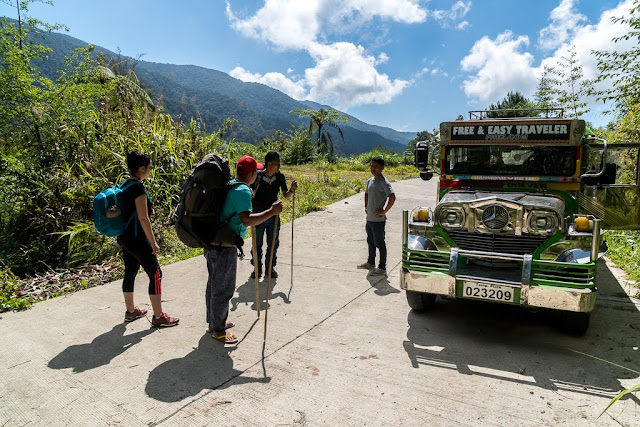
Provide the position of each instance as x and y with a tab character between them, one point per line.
266	190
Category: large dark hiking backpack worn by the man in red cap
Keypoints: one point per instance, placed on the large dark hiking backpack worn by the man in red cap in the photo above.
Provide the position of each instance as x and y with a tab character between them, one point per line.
203	194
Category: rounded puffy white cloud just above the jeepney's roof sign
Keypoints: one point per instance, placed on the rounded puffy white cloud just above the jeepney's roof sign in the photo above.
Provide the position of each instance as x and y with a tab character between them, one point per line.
500	65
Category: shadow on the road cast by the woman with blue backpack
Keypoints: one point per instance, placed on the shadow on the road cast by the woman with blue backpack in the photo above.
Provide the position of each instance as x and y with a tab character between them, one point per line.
99	352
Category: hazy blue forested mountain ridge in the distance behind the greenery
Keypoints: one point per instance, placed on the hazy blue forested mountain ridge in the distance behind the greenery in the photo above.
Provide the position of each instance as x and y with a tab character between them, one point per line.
189	91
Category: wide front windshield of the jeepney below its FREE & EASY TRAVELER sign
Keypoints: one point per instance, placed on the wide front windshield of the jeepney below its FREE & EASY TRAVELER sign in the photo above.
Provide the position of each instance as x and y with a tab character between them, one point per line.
510	160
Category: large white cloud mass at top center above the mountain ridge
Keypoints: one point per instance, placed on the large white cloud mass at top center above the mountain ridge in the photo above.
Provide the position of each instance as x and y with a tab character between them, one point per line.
344	74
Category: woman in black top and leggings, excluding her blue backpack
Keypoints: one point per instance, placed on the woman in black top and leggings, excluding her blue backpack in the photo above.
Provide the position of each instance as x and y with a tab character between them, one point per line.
139	244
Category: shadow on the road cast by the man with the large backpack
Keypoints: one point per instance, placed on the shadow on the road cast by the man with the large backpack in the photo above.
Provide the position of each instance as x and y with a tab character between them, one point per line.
208	366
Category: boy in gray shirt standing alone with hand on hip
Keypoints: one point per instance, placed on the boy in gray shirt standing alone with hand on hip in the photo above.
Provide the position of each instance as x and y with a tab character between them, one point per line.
378	192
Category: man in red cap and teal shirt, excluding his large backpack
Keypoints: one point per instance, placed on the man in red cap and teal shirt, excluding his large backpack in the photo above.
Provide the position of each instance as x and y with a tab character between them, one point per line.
222	259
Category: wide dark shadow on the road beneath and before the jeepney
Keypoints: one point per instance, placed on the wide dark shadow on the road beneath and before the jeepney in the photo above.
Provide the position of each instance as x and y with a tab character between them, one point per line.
514	344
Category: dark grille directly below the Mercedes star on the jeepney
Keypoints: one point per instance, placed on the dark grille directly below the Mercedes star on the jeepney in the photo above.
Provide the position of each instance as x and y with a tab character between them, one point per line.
490	242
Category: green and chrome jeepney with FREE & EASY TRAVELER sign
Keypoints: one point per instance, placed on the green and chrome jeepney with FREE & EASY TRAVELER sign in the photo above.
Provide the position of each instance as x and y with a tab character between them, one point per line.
520	212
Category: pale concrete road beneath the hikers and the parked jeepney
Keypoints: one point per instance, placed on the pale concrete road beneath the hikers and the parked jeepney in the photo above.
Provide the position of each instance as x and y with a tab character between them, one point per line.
341	349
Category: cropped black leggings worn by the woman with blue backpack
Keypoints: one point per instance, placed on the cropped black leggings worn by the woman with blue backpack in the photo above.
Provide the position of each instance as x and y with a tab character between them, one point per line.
137	252
